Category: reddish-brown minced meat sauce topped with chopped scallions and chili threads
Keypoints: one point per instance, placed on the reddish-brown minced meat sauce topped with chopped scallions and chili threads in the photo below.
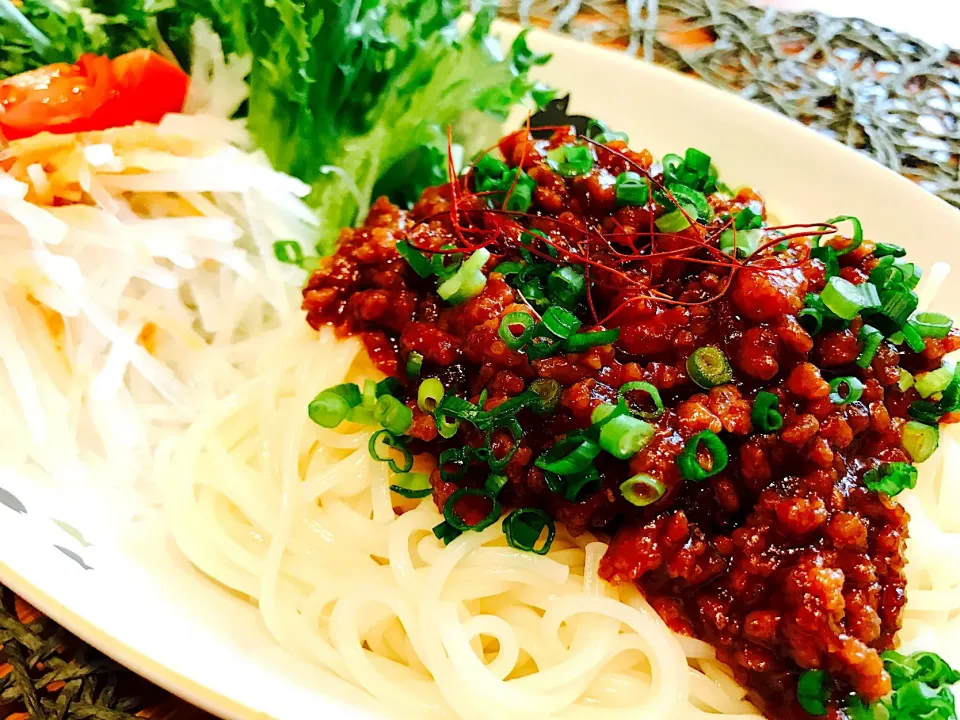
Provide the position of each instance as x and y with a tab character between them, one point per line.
578	333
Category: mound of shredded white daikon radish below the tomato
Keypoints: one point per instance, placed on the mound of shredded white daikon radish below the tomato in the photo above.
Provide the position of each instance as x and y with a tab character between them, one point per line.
138	255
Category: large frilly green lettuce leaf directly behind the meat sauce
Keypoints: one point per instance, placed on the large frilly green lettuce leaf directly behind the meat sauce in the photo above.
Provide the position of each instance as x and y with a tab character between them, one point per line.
362	86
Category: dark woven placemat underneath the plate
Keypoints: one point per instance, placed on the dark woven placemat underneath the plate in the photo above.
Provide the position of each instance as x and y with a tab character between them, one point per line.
888	95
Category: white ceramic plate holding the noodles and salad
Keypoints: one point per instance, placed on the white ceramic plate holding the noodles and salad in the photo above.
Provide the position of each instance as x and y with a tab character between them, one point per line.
126	589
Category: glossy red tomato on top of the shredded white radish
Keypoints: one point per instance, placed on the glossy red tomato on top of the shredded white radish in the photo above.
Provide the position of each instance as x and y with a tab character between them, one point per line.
94	94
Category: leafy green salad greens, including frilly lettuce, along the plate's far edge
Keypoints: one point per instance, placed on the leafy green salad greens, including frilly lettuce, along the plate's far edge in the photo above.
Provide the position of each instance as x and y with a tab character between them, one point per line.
351	96
